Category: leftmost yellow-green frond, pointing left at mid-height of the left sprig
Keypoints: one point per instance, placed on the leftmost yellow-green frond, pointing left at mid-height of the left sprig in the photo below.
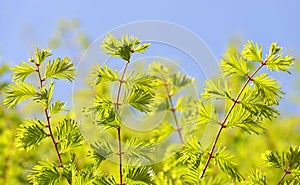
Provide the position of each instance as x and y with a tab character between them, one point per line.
16	93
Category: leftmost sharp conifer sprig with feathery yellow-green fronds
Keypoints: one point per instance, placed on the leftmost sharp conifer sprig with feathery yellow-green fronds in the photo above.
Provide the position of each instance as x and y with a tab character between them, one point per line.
32	132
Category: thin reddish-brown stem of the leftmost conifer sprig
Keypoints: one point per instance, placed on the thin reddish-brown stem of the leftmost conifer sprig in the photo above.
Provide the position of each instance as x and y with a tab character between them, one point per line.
55	143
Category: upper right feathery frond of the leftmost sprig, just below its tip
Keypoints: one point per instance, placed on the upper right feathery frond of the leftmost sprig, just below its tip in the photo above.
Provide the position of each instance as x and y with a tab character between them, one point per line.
60	69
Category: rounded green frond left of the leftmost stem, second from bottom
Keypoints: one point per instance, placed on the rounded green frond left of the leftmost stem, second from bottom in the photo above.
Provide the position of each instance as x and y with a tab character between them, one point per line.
30	134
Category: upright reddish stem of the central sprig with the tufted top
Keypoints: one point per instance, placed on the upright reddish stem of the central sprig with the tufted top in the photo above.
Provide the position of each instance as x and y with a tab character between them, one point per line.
120	153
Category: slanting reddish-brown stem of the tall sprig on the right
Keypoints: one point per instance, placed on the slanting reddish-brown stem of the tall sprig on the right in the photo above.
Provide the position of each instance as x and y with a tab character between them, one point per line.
222	124
